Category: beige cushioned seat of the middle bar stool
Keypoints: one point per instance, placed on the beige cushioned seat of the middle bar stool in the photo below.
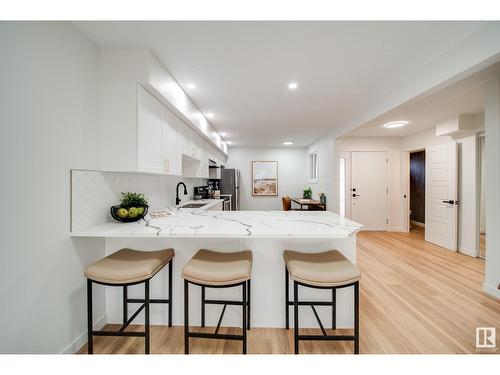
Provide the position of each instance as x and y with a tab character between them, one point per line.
209	267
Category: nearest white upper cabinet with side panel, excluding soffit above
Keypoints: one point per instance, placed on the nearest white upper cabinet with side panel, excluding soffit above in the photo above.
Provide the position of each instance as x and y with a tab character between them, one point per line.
140	135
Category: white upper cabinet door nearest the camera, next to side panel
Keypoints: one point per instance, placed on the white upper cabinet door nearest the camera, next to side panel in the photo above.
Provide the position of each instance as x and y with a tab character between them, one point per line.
149	133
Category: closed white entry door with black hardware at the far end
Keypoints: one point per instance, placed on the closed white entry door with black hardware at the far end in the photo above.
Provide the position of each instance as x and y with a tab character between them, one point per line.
369	189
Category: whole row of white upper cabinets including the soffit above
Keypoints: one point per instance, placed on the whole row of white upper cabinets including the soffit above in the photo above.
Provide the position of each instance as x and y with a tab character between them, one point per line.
147	122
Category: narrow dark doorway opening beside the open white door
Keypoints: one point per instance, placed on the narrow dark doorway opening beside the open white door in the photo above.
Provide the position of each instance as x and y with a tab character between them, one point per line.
417	191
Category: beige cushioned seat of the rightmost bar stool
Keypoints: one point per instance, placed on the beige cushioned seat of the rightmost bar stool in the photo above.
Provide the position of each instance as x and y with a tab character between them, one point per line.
329	268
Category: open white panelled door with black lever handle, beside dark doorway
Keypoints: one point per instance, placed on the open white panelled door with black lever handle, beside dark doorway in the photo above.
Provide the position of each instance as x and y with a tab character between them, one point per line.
441	181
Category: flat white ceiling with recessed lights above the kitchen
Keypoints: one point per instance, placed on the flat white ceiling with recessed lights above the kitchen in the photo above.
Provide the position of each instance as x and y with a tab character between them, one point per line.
241	69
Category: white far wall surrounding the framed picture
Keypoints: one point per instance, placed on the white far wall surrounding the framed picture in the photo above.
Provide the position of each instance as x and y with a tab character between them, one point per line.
291	174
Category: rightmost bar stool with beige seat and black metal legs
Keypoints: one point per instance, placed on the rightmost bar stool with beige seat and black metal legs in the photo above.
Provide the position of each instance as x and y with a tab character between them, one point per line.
326	270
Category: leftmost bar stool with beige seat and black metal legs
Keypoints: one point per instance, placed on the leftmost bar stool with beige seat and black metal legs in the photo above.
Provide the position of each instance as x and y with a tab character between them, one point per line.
124	268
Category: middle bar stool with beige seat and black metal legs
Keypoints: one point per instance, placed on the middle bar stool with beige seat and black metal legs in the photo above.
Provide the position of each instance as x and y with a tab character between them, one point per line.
212	269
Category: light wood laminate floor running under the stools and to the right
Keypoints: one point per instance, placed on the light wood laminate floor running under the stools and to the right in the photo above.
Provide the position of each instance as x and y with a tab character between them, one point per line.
415	298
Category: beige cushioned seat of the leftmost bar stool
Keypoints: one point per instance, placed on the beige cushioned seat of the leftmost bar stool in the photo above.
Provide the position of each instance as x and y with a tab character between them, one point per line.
128	266
